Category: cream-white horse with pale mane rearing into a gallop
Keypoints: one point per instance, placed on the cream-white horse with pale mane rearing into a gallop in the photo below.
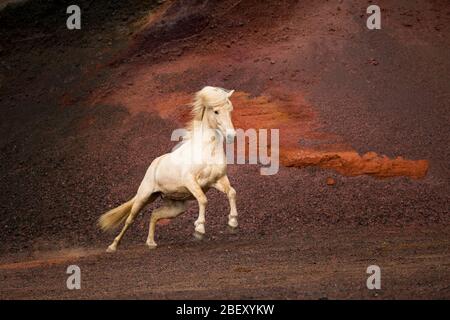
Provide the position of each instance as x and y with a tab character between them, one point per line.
186	173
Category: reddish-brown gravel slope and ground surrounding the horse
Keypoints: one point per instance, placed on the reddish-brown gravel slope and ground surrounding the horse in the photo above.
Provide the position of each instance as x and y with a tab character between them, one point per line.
86	111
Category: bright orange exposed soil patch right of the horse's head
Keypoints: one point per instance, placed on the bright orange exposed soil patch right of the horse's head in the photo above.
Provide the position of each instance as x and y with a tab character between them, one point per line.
295	119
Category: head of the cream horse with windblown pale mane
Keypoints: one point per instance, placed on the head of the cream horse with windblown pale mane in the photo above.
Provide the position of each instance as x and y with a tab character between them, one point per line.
217	108
